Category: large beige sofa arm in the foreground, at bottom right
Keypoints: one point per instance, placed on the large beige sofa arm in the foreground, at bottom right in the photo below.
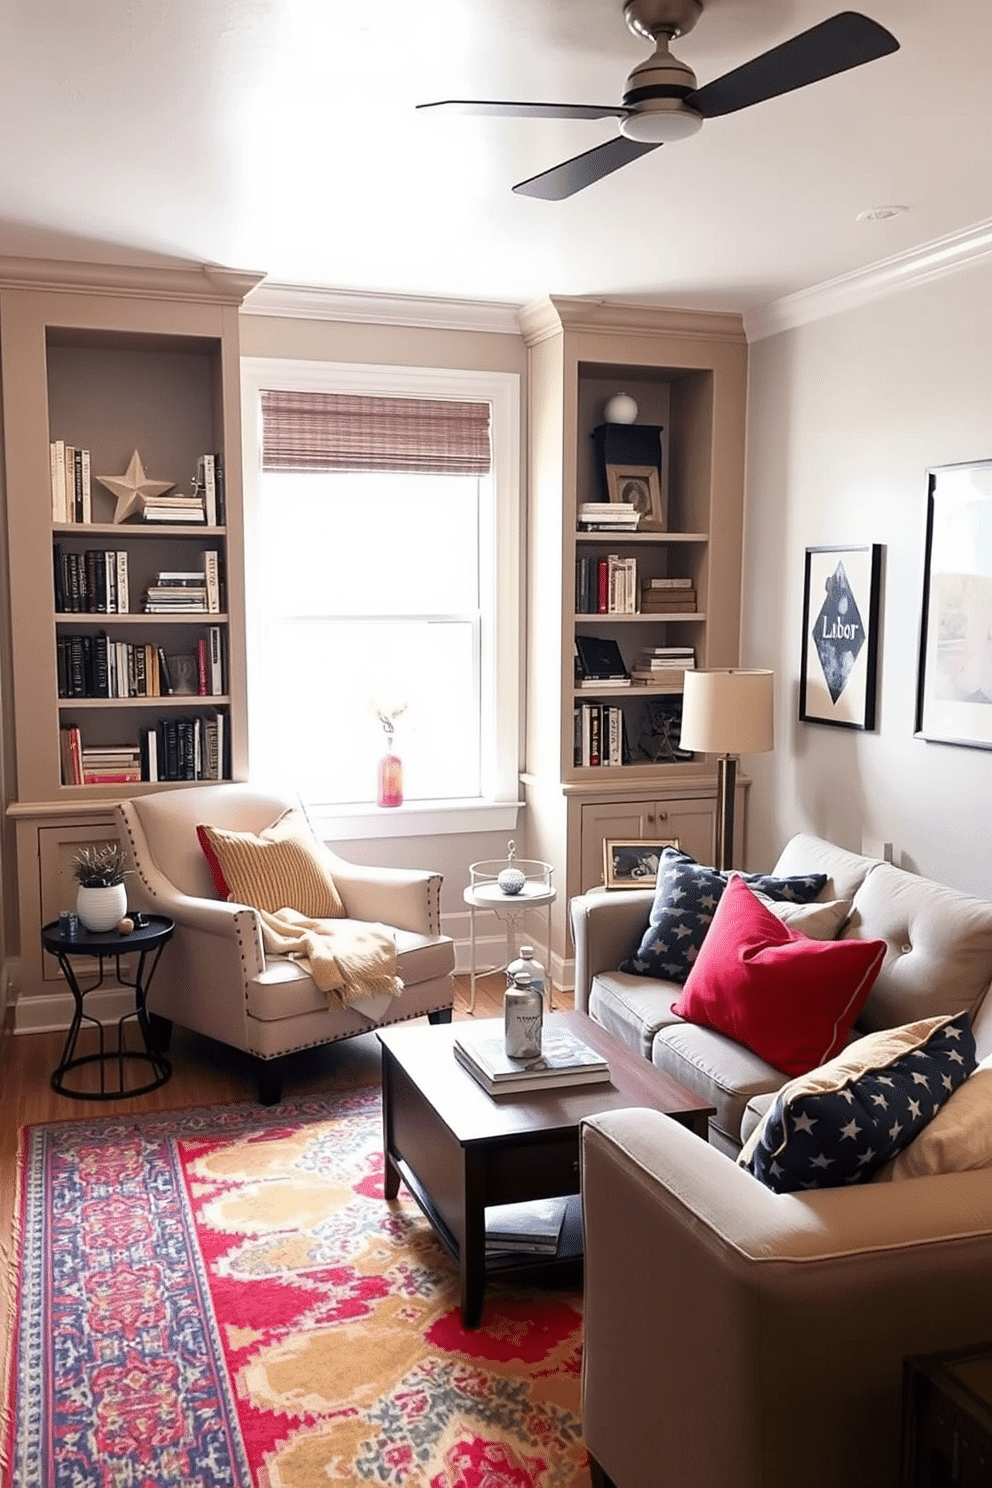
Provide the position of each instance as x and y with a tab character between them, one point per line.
728	1328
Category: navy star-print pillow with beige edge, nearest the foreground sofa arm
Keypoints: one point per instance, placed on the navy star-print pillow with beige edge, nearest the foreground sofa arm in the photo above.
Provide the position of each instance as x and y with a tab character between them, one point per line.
841	1123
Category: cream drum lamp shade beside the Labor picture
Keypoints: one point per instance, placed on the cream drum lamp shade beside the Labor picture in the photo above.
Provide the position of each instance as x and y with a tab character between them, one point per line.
728	712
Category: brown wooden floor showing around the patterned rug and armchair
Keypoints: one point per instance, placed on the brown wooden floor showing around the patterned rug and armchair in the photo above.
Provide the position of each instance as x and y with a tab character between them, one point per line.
204	1074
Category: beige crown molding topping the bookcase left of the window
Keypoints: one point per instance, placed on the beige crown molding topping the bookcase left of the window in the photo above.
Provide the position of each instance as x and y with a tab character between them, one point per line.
204	282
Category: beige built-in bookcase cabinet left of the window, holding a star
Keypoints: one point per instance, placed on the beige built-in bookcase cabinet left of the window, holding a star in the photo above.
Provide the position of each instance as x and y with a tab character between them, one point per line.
114	362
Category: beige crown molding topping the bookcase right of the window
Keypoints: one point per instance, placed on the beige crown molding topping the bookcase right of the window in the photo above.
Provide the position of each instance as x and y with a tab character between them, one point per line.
551	316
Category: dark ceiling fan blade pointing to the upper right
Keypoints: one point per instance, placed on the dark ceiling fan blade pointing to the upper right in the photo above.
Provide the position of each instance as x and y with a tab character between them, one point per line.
834	47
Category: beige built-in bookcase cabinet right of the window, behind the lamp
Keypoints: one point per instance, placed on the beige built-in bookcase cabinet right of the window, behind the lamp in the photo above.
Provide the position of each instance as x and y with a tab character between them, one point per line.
686	371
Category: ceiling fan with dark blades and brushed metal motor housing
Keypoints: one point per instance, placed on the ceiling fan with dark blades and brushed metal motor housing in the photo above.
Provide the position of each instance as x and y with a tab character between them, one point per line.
663	103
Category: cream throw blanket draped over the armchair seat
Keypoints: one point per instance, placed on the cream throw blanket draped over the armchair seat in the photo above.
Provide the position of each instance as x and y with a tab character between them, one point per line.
350	961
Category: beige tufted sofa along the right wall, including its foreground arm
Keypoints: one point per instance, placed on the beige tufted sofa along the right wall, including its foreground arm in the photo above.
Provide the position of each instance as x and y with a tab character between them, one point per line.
762	1341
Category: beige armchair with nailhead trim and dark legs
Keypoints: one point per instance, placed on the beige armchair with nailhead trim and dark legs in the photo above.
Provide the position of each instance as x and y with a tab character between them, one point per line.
218	978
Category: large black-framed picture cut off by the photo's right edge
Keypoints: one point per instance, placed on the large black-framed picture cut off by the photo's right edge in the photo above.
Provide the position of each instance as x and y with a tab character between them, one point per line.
954	694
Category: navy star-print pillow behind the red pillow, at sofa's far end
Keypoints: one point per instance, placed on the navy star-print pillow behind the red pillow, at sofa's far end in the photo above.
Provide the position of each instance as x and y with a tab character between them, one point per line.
686	897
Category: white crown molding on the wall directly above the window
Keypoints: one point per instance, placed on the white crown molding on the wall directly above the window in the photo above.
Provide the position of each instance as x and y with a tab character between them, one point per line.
312	303
